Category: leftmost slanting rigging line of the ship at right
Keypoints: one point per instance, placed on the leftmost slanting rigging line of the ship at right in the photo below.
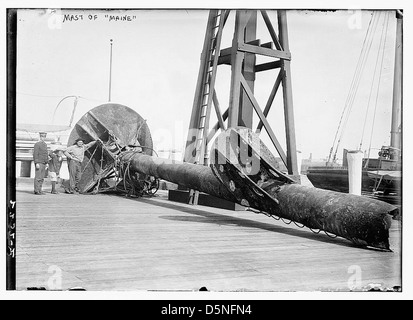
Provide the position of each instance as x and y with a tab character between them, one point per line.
354	90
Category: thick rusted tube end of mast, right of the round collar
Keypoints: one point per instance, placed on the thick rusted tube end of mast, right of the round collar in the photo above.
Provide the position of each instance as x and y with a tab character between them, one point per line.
362	220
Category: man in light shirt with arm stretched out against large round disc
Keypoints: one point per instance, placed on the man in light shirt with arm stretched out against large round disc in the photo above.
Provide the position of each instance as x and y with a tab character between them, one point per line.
75	155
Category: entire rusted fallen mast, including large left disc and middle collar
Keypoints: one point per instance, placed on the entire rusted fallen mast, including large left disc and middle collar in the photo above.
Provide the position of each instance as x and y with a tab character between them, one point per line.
241	170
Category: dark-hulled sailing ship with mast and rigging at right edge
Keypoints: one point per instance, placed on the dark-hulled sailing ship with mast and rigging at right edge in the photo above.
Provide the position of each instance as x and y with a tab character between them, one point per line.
381	177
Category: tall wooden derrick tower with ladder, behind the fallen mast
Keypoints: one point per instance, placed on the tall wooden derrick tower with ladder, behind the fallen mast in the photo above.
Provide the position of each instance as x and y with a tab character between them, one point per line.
241	56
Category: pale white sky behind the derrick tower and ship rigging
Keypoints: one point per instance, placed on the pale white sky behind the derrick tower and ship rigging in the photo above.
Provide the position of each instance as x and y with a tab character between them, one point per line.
155	68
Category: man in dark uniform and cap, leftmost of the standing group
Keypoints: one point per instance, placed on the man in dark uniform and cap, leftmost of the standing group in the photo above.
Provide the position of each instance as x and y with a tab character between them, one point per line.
40	159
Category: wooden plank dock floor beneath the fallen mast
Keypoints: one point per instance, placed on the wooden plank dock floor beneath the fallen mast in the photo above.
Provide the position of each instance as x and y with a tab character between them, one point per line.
110	242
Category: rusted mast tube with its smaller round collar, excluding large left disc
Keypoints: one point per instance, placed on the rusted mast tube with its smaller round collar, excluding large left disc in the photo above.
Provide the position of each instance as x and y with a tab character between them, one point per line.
242	172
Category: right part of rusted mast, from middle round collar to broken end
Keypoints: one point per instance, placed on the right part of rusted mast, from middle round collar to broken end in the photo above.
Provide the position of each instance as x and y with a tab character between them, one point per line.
255	183
